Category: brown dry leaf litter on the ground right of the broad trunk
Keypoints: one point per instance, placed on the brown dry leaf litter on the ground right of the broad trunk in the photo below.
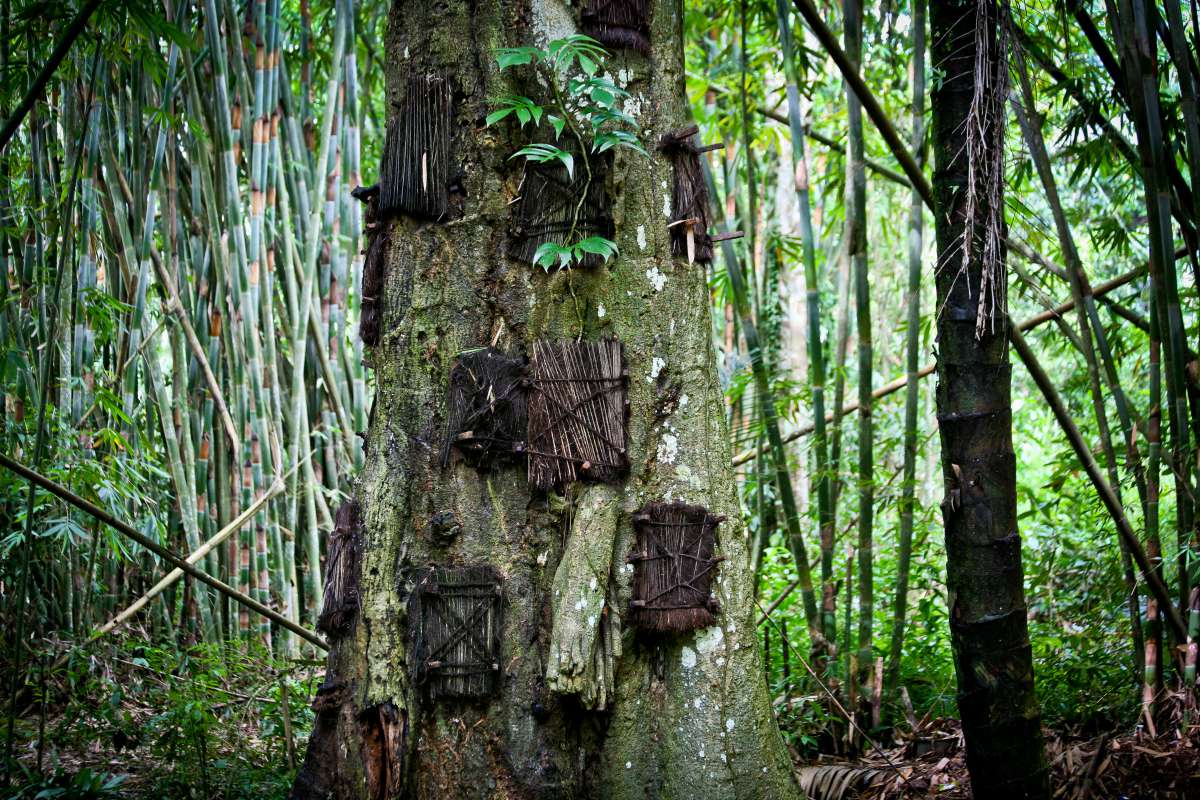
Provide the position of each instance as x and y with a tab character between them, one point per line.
931	763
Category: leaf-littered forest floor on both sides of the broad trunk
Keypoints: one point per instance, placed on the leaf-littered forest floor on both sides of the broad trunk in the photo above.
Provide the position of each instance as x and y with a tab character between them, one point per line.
237	727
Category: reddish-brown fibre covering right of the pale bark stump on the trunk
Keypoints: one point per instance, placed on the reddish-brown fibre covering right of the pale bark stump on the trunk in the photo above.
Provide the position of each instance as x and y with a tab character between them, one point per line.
674	568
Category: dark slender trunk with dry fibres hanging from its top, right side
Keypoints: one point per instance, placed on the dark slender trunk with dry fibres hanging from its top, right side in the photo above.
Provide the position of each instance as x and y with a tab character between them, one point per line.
993	658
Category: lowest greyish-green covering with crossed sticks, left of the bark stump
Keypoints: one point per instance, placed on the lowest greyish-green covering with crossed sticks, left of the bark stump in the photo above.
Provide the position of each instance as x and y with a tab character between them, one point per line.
455	631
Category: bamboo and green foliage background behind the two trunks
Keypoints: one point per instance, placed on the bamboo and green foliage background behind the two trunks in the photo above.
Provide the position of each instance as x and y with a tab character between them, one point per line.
179	332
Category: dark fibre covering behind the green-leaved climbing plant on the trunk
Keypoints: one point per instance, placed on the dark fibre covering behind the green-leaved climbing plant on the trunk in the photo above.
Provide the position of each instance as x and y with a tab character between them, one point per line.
548	204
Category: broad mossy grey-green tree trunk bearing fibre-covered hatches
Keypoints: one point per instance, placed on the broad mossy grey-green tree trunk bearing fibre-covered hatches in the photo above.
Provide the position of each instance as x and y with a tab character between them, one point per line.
585	706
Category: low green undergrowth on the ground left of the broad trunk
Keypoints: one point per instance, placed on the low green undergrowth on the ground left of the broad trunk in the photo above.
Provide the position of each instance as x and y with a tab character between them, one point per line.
149	723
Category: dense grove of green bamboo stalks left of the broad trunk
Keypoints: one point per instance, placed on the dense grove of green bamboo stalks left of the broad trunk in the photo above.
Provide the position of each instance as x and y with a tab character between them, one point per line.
182	240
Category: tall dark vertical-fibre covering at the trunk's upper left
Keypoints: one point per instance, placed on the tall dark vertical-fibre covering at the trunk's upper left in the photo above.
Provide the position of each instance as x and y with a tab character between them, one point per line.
416	175
